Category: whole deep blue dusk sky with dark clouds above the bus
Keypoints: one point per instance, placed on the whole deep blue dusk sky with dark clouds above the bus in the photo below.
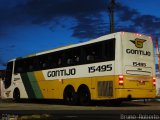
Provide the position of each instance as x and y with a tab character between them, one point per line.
31	26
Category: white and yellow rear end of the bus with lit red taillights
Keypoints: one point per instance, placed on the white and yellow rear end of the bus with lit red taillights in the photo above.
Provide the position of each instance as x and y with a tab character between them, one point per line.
136	79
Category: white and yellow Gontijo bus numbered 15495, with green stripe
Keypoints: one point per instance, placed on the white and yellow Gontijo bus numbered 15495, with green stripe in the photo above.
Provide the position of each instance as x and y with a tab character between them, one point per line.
113	67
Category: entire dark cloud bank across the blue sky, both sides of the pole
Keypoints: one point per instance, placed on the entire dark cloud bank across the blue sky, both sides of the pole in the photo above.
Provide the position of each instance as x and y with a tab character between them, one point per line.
87	14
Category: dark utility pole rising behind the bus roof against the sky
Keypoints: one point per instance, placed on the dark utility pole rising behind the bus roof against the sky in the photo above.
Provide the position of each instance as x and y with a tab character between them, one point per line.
111	15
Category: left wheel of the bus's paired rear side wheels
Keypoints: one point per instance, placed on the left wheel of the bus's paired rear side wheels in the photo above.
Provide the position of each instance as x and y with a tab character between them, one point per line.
70	96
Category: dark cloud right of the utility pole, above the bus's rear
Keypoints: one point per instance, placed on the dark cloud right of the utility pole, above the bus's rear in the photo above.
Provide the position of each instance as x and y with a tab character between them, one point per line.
133	21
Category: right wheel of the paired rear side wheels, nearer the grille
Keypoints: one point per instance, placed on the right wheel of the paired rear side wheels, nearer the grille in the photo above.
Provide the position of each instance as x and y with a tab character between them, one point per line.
84	96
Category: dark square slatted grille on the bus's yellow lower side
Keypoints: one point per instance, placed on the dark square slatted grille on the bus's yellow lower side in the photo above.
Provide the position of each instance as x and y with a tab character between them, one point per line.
105	88
